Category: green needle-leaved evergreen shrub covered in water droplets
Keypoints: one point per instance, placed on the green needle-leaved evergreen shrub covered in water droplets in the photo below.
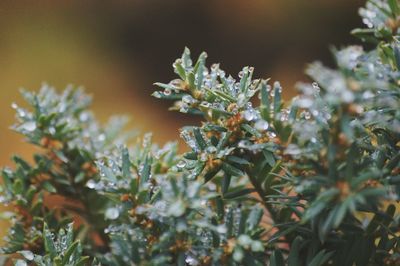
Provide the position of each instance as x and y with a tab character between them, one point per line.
314	181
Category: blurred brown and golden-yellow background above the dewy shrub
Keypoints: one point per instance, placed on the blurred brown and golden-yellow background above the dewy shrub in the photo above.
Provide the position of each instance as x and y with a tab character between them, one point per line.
118	49
